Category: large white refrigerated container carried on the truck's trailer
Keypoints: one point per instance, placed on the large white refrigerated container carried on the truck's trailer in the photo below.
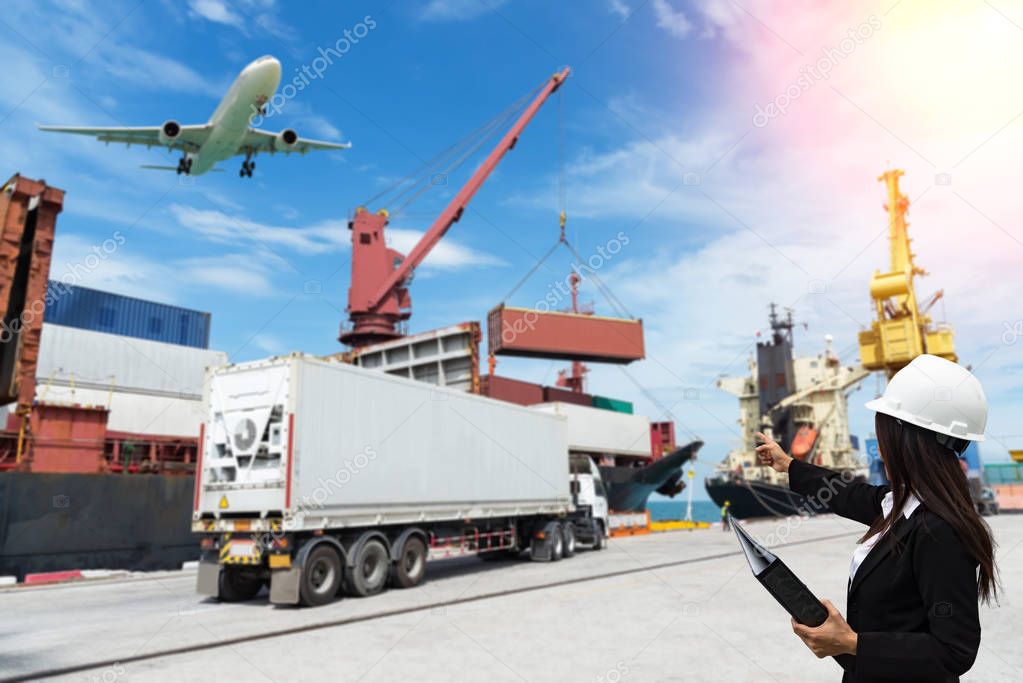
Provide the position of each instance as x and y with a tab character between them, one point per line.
335	445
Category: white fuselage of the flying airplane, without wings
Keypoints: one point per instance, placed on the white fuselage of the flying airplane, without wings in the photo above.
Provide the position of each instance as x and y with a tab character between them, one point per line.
252	90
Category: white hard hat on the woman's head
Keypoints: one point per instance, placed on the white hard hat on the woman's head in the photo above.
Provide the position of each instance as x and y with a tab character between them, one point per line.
938	395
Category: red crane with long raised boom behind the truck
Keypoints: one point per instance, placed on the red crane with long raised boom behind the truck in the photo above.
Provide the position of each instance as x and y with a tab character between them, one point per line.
378	298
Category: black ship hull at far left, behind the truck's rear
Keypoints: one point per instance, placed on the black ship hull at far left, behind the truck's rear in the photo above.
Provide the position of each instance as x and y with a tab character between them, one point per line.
53	523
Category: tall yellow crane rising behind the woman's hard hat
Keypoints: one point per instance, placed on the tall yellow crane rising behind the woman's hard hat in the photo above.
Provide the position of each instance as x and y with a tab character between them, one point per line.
903	330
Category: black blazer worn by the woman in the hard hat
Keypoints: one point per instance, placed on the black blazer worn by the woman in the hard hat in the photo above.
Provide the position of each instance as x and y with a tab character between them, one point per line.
915	611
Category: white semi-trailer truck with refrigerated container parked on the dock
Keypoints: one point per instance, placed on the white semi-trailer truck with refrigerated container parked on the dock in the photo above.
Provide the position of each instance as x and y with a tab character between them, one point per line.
321	478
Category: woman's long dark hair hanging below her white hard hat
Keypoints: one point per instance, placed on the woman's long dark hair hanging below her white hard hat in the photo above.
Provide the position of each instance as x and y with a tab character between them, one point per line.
918	464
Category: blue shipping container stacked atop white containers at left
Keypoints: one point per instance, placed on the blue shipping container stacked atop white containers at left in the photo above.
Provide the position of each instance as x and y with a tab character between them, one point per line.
73	306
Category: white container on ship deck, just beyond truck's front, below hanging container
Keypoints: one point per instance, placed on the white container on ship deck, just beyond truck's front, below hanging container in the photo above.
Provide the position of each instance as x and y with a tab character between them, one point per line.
596	431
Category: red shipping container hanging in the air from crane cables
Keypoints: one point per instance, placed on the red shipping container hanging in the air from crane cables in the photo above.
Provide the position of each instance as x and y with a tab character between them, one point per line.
529	334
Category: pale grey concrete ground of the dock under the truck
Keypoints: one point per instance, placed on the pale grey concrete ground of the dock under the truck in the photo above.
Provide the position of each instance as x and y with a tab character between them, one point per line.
705	620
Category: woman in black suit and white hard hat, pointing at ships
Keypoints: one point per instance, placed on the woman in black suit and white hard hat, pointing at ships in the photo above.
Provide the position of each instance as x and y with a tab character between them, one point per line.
927	557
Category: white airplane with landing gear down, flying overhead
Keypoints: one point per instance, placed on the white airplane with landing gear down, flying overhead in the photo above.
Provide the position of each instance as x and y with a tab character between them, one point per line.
228	134
